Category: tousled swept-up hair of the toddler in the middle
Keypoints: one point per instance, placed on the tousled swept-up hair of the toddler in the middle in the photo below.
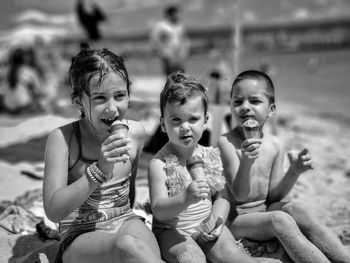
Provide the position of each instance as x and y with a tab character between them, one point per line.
179	87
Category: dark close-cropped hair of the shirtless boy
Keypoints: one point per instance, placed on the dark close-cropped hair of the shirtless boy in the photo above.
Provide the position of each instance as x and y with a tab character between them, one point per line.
257	75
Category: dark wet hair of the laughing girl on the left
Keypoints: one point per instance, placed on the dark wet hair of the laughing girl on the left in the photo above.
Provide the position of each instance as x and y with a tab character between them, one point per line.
92	63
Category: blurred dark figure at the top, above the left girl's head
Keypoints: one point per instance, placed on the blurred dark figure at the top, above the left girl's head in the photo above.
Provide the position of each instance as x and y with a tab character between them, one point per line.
90	15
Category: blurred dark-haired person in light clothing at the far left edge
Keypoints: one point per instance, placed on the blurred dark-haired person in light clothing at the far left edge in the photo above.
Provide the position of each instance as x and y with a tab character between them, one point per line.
24	89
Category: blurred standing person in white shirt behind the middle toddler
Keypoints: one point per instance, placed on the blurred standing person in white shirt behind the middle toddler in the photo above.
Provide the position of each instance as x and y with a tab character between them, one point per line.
168	38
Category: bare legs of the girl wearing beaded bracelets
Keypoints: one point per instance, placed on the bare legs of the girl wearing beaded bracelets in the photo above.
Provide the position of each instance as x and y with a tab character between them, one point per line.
133	243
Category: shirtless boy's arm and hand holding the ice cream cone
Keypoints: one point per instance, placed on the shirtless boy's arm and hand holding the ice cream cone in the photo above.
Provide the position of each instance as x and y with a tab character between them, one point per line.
237	172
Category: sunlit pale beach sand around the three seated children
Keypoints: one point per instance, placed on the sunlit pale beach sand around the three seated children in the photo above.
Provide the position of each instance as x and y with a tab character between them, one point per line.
326	188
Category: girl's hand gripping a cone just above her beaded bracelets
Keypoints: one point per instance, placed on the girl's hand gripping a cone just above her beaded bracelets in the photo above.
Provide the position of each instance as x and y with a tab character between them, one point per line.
113	149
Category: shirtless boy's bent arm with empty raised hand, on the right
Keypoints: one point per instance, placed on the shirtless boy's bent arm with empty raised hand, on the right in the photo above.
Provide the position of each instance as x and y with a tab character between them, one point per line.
281	186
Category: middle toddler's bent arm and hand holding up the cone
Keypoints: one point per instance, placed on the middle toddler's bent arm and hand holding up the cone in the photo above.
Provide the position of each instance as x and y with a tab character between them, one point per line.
164	207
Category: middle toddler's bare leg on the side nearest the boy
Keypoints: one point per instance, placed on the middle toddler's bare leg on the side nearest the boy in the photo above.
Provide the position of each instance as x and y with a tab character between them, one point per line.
224	249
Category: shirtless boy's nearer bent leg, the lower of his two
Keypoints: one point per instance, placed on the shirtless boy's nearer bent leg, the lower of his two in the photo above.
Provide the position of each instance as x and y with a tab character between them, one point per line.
264	226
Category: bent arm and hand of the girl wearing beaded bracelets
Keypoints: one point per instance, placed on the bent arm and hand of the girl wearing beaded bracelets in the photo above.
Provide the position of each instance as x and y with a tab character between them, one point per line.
60	199
